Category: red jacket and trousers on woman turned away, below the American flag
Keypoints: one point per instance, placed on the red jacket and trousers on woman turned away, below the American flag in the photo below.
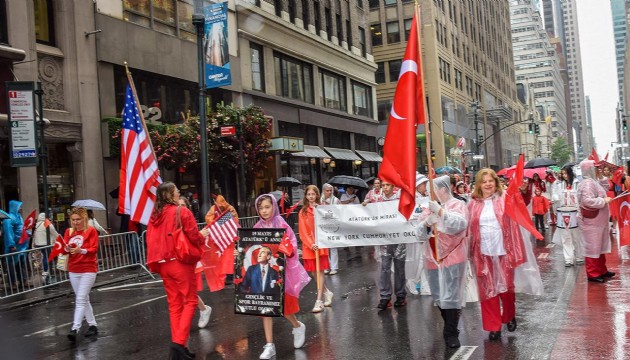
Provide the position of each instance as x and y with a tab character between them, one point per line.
178	278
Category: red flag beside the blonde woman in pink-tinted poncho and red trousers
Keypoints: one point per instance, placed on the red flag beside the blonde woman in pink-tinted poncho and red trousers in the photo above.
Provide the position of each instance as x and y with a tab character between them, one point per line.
515	206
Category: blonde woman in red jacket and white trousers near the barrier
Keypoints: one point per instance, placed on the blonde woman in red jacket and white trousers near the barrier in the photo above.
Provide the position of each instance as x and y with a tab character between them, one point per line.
82	246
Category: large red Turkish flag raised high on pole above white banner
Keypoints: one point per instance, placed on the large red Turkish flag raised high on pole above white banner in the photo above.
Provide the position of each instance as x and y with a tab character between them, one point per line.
399	152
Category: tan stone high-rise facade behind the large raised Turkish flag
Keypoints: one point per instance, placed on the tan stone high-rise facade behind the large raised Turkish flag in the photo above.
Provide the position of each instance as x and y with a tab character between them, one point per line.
468	77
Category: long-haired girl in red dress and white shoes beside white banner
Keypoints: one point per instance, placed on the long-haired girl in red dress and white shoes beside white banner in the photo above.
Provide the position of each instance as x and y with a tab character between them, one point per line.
310	251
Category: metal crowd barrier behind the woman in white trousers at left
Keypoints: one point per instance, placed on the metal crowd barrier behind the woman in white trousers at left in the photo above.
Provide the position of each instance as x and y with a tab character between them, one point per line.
29	270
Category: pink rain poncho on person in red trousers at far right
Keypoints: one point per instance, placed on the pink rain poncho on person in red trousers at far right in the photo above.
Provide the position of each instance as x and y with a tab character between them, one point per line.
591	195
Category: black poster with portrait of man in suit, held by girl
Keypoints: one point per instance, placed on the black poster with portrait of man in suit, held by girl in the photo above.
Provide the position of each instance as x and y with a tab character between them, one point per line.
259	273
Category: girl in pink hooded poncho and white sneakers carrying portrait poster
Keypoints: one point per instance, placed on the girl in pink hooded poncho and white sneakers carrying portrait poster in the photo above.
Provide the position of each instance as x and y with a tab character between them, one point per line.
296	278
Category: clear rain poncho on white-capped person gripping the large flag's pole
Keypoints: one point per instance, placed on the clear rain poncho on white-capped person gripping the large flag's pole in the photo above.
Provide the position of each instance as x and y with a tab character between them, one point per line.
447	273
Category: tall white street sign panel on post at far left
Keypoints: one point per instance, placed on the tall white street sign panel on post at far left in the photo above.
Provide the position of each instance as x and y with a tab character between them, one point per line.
22	139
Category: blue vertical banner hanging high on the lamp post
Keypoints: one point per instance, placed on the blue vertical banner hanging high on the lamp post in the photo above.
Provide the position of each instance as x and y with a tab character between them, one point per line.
217	56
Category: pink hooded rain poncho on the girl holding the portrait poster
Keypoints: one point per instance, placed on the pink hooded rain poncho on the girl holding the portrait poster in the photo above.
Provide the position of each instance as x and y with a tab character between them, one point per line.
296	278
